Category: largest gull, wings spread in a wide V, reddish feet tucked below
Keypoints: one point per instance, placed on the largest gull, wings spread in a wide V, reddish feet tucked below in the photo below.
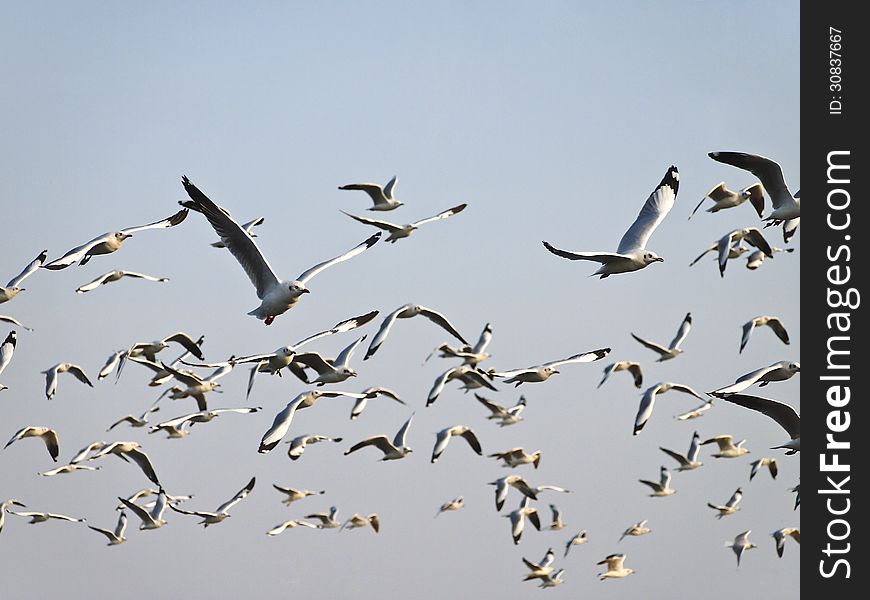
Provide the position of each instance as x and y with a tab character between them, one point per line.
277	296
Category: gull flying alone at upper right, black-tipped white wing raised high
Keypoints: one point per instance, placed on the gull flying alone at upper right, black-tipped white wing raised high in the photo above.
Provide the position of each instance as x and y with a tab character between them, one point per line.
632	255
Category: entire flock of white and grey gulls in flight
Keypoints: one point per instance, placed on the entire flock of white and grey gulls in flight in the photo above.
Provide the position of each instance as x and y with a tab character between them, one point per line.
189	377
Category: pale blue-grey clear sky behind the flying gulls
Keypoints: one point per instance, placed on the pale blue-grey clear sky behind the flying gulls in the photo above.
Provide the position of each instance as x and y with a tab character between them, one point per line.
552	121
